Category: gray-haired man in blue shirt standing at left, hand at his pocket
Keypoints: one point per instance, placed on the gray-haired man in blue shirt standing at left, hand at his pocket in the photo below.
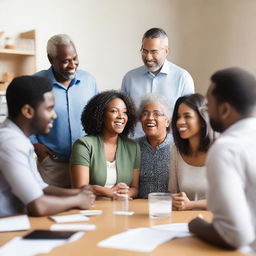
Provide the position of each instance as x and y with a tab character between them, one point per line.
72	89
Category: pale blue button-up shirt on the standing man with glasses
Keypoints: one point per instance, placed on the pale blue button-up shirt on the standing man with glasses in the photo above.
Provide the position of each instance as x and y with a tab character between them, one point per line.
171	82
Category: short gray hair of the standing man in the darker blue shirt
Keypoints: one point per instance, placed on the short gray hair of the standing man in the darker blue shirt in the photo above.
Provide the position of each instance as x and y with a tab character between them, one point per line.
60	39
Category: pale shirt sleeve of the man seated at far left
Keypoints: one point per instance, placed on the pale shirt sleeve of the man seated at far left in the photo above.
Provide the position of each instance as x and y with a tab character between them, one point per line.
15	166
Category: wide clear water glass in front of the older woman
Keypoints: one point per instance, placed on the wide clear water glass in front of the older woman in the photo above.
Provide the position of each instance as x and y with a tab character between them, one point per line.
160	205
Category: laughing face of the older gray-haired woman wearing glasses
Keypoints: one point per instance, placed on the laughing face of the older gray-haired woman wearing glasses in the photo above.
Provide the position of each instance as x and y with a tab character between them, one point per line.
153	121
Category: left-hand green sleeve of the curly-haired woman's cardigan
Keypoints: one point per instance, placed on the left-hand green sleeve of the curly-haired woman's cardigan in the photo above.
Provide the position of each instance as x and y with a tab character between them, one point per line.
81	153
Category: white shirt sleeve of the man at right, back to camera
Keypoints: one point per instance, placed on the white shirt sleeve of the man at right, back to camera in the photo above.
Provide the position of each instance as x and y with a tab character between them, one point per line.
226	196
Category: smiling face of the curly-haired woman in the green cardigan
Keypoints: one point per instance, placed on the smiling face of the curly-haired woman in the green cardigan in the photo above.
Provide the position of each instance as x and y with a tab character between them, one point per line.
115	117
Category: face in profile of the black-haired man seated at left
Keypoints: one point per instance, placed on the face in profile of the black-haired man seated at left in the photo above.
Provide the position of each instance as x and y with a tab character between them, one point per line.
44	115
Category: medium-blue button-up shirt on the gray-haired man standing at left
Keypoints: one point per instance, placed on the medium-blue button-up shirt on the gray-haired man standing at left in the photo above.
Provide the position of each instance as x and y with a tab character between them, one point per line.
69	104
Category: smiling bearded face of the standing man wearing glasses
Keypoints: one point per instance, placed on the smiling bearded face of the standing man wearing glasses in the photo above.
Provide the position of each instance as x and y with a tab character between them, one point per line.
153	53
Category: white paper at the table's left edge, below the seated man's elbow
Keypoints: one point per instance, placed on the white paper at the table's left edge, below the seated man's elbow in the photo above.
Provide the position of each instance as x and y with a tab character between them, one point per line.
14	223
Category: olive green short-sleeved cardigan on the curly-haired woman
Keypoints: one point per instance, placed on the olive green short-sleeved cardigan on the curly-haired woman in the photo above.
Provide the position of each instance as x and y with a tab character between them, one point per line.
89	151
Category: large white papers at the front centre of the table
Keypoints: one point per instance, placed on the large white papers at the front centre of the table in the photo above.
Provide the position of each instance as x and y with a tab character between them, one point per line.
145	239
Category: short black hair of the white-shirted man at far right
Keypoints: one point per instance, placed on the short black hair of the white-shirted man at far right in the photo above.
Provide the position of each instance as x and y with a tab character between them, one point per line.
237	87
